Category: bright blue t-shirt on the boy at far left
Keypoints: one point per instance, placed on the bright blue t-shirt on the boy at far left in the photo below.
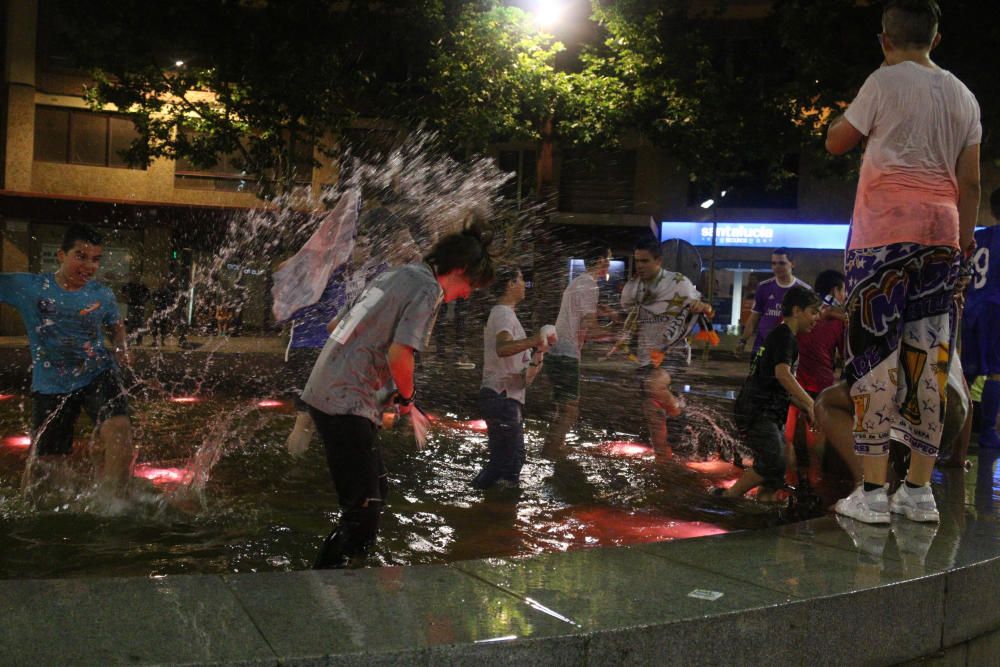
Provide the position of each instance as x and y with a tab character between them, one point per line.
65	329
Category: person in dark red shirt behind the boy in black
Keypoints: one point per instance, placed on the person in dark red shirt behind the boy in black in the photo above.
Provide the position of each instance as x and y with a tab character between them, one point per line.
820	348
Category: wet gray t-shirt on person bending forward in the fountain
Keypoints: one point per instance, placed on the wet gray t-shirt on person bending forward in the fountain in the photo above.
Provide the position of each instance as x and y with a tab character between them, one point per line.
351	376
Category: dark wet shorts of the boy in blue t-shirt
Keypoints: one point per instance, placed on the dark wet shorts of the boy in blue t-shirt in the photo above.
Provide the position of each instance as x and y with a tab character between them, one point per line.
54	415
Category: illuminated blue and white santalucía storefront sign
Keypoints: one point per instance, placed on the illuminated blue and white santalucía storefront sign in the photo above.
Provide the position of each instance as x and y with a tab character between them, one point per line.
763	234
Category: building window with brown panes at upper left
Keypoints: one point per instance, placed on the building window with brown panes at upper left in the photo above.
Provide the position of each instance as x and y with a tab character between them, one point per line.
82	137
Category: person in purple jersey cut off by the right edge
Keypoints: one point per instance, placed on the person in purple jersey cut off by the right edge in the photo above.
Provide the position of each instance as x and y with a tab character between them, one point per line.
981	325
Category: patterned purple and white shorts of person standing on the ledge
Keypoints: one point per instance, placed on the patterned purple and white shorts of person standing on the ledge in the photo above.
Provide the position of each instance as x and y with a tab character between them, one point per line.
900	340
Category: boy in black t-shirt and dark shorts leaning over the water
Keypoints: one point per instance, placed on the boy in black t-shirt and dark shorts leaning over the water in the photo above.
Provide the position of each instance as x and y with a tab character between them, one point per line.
762	404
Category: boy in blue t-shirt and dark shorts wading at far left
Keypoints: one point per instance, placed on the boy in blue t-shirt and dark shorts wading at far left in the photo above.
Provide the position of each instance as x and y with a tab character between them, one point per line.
65	314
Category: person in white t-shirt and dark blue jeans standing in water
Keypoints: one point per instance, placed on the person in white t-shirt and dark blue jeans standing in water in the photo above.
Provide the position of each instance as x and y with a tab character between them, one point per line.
511	360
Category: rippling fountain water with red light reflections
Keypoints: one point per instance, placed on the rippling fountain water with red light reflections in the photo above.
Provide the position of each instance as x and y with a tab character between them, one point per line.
260	509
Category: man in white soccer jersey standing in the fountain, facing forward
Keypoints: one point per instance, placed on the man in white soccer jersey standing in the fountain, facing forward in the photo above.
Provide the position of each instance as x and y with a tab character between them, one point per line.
655	299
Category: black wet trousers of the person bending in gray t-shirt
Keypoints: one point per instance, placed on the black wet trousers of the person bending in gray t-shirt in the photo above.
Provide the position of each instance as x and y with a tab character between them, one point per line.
355	461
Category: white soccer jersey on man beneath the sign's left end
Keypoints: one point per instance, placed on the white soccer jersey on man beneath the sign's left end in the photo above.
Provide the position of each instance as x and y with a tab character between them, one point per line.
660	301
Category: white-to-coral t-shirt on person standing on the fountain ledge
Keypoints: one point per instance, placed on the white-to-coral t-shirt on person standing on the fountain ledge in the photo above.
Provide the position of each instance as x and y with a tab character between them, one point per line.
917	120
